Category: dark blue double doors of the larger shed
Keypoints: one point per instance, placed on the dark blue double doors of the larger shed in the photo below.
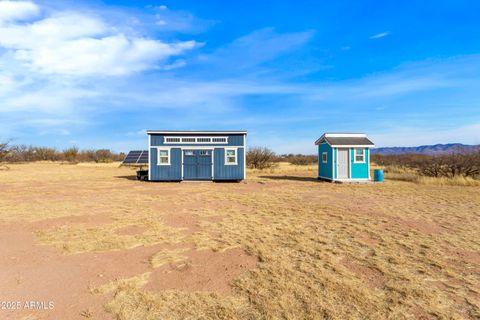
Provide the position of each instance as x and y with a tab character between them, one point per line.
197	164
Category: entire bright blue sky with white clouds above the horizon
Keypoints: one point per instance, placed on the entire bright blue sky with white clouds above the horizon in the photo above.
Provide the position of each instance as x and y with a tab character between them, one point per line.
98	74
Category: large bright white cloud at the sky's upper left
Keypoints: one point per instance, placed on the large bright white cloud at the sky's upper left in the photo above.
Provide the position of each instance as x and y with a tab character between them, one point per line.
74	44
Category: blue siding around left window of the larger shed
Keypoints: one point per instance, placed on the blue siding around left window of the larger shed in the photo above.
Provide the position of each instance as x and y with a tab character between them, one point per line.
171	172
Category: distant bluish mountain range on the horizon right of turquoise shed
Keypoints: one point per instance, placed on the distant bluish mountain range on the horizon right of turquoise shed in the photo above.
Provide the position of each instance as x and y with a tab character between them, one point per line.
430	149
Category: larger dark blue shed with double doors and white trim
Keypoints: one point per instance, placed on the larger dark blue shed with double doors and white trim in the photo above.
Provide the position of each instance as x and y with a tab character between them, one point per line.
196	155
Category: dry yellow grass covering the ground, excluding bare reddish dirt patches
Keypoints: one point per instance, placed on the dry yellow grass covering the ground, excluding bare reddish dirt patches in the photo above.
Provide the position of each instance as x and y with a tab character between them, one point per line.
397	250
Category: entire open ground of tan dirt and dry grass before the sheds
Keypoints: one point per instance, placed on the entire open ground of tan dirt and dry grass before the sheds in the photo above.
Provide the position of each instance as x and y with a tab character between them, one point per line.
88	241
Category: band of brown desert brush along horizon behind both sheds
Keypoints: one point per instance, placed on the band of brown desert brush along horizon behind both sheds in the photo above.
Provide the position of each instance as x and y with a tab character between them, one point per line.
444	165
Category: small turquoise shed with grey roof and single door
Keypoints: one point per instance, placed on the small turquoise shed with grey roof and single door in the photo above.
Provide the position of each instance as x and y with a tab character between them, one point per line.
344	157
